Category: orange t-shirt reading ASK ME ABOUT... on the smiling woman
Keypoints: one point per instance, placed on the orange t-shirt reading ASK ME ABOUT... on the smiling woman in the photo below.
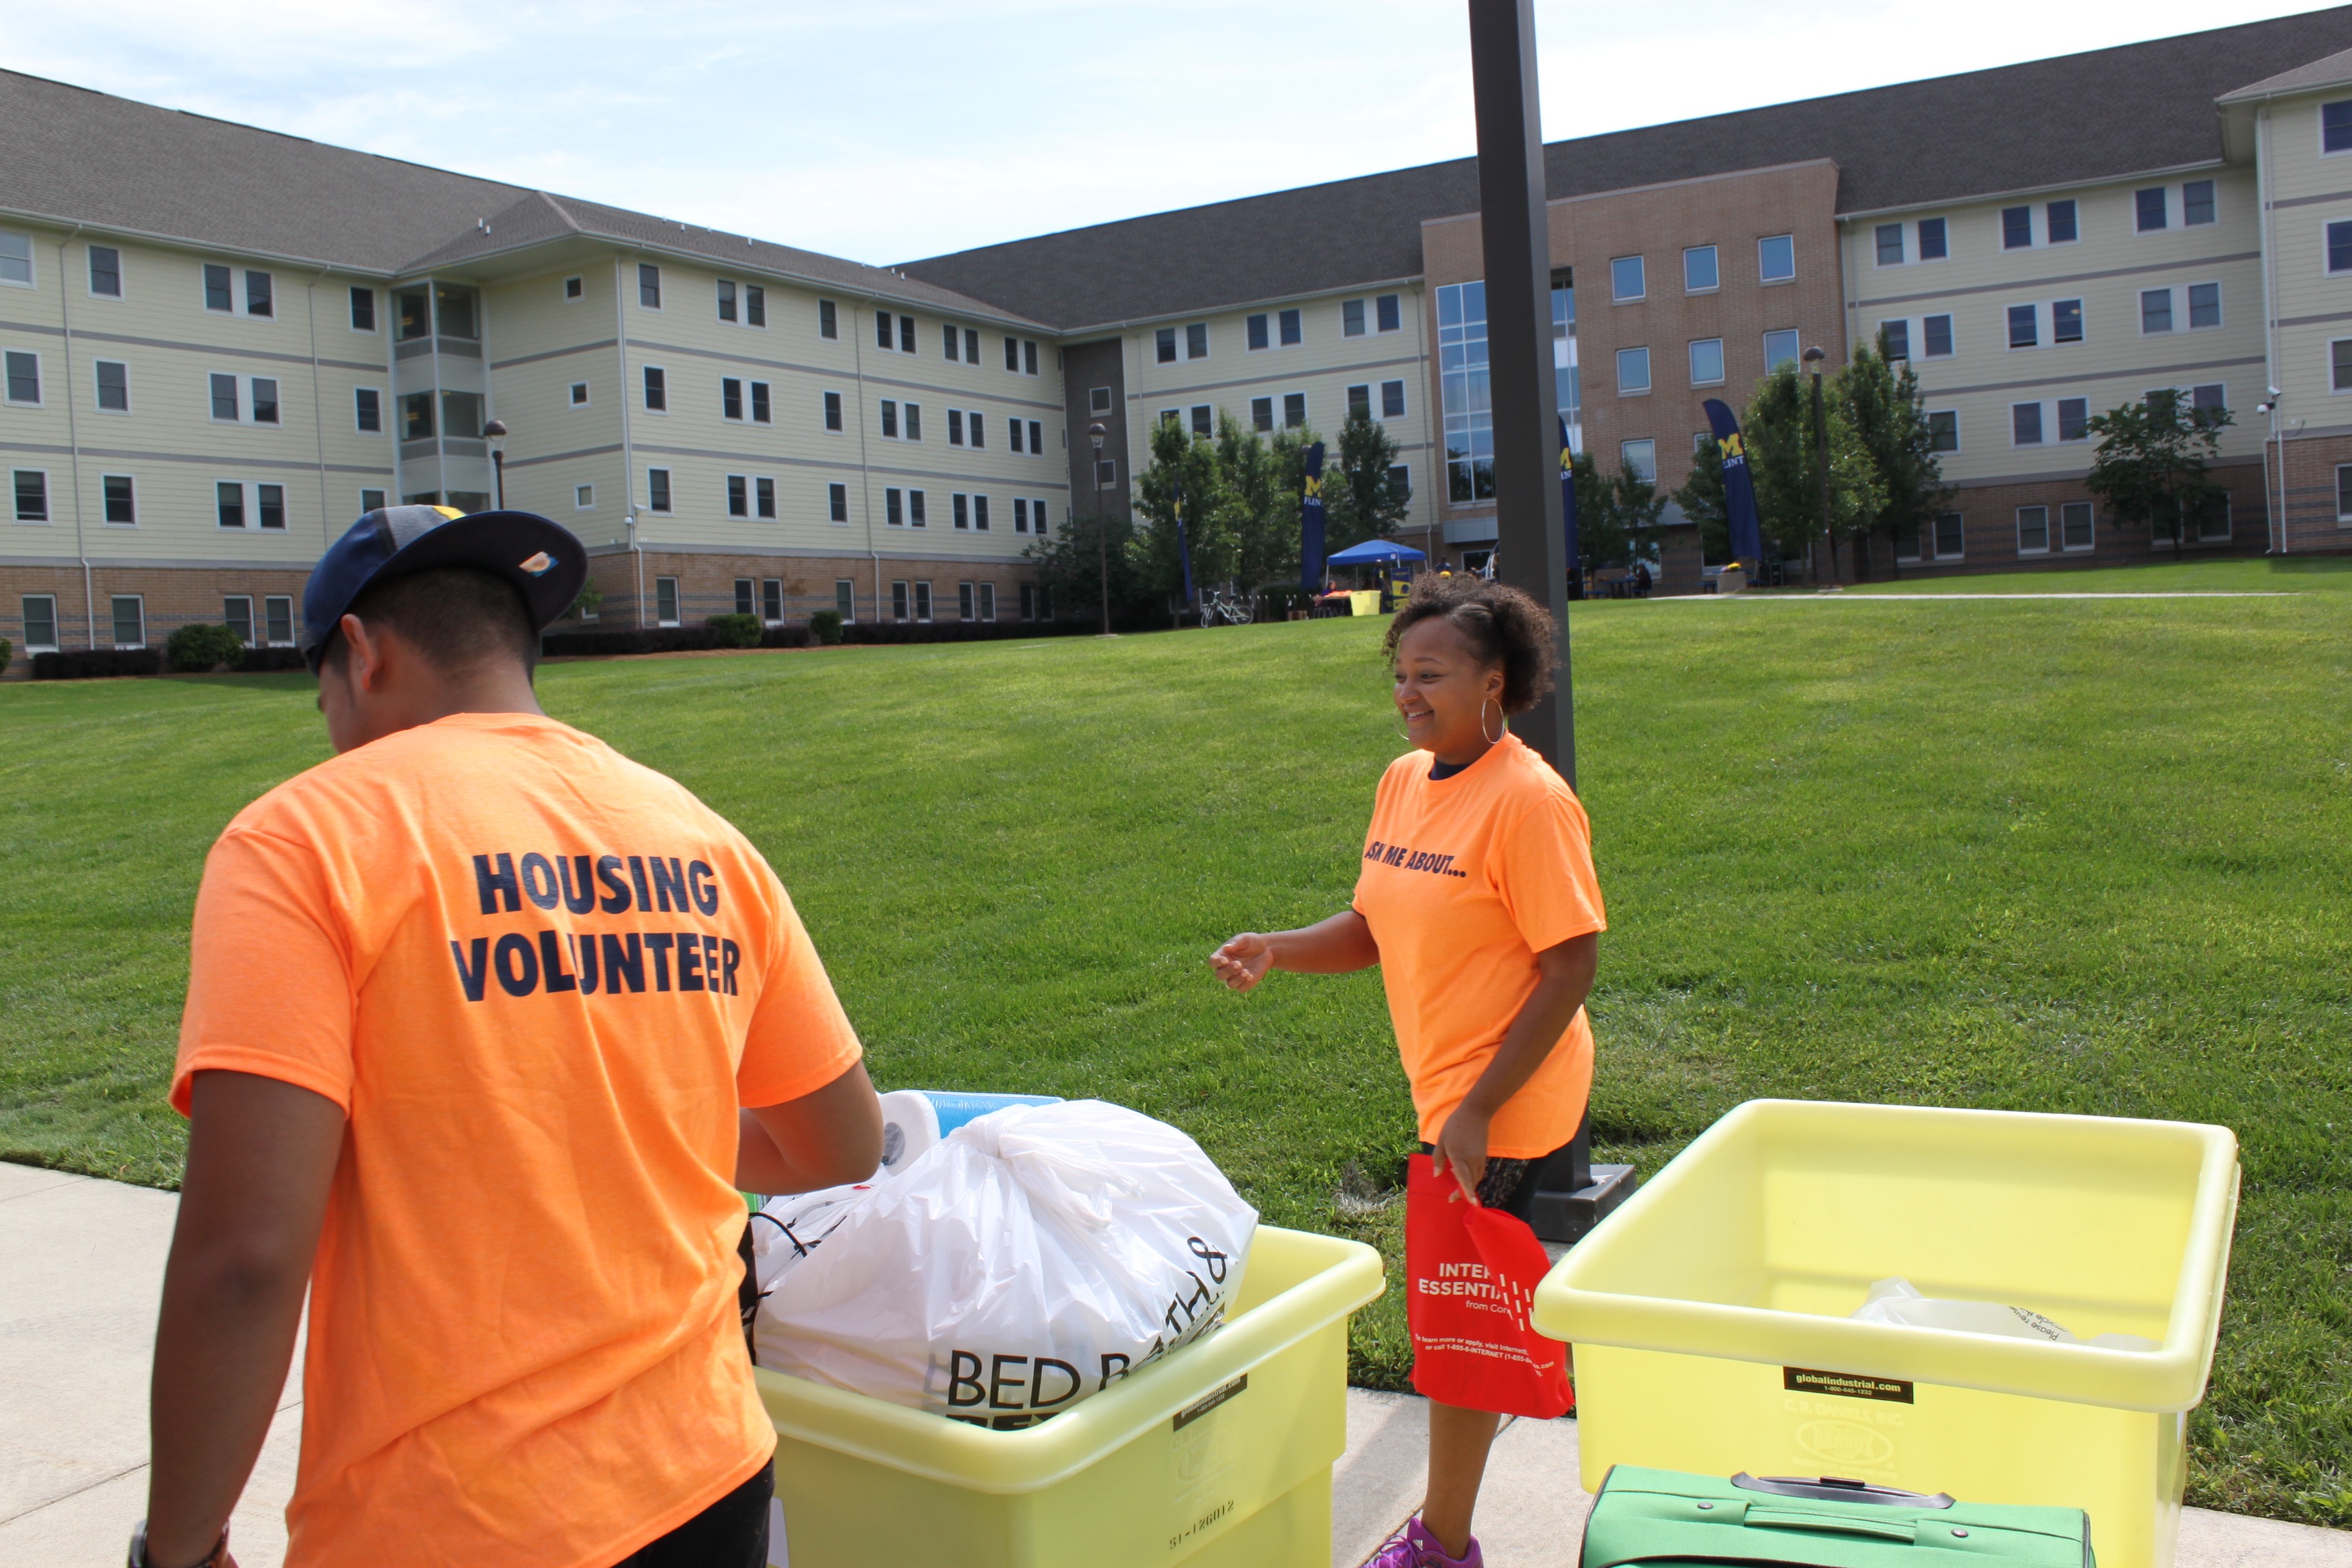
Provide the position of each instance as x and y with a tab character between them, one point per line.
1464	883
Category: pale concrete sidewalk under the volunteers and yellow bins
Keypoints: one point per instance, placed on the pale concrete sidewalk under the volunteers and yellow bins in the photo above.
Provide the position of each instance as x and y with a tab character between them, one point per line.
79	1327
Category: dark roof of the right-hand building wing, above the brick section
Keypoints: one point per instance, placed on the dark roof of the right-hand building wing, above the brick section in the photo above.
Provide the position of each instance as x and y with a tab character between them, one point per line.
2012	128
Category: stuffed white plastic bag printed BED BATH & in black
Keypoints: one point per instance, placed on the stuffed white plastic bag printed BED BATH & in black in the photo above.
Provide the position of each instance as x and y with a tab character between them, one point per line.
1031	1261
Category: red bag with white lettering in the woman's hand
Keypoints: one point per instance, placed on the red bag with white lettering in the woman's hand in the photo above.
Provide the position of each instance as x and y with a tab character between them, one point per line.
1471	1278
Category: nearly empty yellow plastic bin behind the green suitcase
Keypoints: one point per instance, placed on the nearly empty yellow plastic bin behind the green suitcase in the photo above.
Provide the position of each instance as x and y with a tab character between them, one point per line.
1711	1311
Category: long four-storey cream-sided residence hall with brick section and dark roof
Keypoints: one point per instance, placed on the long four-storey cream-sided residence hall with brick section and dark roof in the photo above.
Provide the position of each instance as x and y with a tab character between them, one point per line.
222	344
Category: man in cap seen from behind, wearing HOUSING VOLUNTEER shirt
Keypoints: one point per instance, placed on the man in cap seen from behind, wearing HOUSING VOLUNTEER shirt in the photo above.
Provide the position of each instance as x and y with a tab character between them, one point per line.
472	1017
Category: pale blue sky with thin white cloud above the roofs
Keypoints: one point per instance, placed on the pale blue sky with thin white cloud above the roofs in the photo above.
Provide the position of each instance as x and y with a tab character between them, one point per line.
890	130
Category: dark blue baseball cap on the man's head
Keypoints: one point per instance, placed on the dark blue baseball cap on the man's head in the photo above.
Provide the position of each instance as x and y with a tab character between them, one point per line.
540	558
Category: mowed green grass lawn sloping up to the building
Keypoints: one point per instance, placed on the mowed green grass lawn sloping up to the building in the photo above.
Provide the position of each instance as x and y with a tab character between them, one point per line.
2052	857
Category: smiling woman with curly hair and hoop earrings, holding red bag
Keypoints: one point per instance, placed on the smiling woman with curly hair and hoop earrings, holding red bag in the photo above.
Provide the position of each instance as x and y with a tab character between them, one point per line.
1481	906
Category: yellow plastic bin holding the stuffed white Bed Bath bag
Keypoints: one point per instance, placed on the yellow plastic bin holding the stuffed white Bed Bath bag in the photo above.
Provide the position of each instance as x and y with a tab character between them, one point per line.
1220	1454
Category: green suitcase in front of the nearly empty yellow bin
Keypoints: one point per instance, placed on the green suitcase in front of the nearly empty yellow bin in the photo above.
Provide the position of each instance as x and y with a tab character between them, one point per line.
1669	1520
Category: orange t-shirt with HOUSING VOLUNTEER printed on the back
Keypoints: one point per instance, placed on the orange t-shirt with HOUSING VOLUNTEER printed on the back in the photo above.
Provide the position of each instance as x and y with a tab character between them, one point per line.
537	979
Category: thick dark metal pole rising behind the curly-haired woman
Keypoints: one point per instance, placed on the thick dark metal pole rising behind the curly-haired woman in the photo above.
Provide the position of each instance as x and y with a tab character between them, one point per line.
1518	243
